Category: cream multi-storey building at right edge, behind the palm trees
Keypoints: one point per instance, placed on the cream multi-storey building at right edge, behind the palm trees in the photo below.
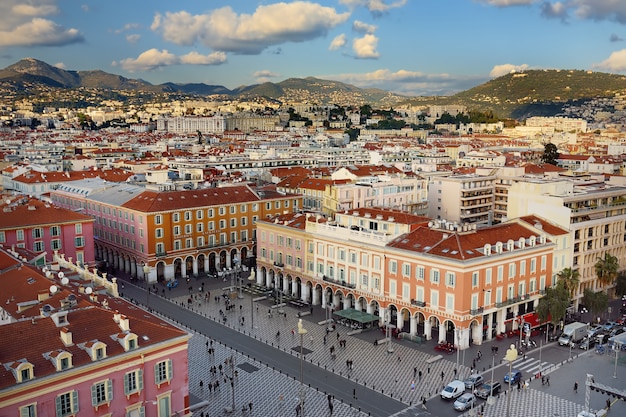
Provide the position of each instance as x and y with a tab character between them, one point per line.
594	214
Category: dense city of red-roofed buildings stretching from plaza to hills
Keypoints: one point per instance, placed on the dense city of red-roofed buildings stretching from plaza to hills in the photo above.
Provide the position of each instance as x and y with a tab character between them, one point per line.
453	233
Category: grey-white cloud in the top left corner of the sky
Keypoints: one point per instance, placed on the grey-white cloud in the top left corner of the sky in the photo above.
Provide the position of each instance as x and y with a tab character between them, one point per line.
28	25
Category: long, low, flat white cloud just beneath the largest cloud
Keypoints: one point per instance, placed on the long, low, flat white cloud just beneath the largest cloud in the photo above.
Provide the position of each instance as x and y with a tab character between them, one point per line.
154	58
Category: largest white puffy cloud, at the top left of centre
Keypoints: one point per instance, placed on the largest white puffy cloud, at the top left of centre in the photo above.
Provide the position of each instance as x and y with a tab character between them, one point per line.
224	30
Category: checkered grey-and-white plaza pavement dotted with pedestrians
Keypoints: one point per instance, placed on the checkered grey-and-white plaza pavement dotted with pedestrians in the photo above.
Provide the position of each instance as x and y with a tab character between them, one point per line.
374	367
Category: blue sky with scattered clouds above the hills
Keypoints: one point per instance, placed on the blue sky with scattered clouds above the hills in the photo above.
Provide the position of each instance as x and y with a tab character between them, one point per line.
412	47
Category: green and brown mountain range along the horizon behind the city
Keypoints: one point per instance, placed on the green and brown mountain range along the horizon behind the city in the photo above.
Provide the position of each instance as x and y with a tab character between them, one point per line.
516	95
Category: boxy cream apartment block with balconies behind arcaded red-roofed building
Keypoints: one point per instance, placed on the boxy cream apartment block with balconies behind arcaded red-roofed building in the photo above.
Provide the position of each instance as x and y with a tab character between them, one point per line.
462	198
